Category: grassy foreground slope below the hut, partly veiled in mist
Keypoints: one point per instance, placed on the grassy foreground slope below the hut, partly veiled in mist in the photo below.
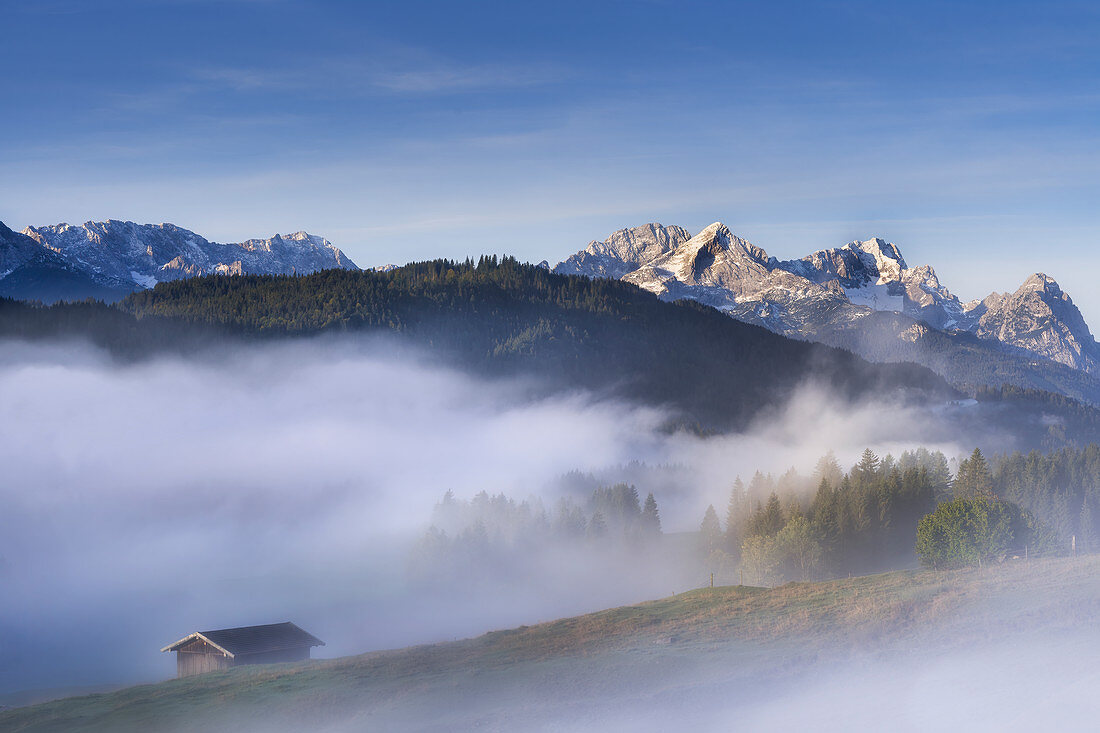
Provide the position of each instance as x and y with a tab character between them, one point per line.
749	654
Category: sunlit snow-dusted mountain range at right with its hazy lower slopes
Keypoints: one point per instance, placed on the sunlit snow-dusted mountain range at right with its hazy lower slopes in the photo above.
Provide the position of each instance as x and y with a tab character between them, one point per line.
863	297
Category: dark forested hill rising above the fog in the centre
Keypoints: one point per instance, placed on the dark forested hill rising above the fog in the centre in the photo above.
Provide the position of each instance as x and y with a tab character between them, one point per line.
504	316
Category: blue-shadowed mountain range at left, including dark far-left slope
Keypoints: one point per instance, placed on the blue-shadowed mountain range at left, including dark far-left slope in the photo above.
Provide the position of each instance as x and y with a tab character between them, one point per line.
112	259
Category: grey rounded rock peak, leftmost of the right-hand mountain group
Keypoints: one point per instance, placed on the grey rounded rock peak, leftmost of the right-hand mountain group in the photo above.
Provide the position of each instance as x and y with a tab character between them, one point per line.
624	251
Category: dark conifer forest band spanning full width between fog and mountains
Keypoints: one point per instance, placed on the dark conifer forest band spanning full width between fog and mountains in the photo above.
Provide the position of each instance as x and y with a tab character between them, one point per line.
501	318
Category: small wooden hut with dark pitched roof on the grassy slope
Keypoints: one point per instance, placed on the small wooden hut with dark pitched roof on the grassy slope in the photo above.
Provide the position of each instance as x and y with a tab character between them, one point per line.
204	652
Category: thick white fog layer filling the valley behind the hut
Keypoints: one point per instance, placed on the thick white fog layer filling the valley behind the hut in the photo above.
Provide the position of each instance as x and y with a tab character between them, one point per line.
142	502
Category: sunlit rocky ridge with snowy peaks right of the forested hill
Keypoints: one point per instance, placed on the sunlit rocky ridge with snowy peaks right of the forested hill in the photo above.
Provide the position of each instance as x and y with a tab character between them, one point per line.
831	291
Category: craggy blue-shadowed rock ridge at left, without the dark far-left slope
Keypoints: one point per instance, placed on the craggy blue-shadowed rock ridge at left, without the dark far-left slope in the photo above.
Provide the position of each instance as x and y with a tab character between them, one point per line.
124	254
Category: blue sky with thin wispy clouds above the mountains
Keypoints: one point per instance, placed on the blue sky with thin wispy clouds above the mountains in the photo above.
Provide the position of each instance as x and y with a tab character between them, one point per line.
965	133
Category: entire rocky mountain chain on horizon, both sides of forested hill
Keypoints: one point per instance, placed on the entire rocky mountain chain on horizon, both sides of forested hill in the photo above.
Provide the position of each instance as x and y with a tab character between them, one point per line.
862	297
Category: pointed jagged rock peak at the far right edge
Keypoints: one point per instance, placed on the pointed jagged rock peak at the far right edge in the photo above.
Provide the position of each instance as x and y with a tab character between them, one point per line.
1040	319
